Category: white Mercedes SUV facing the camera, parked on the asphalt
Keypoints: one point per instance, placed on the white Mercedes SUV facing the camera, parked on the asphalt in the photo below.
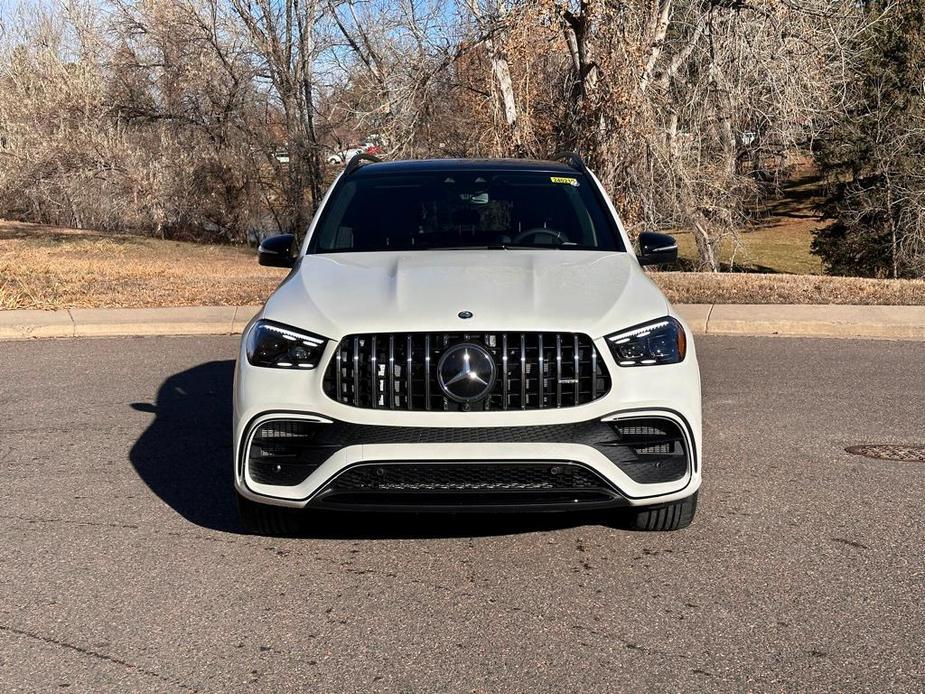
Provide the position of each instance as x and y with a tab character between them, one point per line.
467	335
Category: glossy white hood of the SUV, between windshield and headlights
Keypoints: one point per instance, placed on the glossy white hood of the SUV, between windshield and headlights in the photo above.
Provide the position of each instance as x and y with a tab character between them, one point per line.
544	290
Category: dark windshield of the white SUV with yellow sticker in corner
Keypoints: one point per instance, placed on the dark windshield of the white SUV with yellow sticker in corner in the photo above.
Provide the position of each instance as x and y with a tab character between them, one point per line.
465	209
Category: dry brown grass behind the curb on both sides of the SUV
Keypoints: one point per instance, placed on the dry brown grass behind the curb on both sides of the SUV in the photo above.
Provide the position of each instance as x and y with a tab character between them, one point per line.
49	268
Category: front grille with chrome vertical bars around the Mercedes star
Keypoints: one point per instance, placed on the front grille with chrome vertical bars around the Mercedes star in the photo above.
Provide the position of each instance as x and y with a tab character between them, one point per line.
534	371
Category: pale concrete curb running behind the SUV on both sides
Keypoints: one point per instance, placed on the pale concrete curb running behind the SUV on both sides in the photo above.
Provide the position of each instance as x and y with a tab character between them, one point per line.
879	322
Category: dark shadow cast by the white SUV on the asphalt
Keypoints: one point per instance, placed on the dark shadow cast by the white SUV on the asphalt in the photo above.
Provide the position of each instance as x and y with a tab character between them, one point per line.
184	457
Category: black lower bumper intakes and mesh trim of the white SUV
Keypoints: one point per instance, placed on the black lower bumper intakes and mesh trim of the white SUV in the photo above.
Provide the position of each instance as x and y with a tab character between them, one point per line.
285	451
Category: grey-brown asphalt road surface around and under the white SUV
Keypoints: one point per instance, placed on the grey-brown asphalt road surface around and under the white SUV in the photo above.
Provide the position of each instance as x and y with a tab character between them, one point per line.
122	567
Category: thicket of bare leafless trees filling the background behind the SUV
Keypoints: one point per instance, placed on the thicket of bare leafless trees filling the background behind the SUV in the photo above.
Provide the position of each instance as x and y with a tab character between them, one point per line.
212	117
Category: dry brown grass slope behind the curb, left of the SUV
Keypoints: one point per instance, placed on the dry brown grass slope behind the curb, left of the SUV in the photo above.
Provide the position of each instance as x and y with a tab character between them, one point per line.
49	268
